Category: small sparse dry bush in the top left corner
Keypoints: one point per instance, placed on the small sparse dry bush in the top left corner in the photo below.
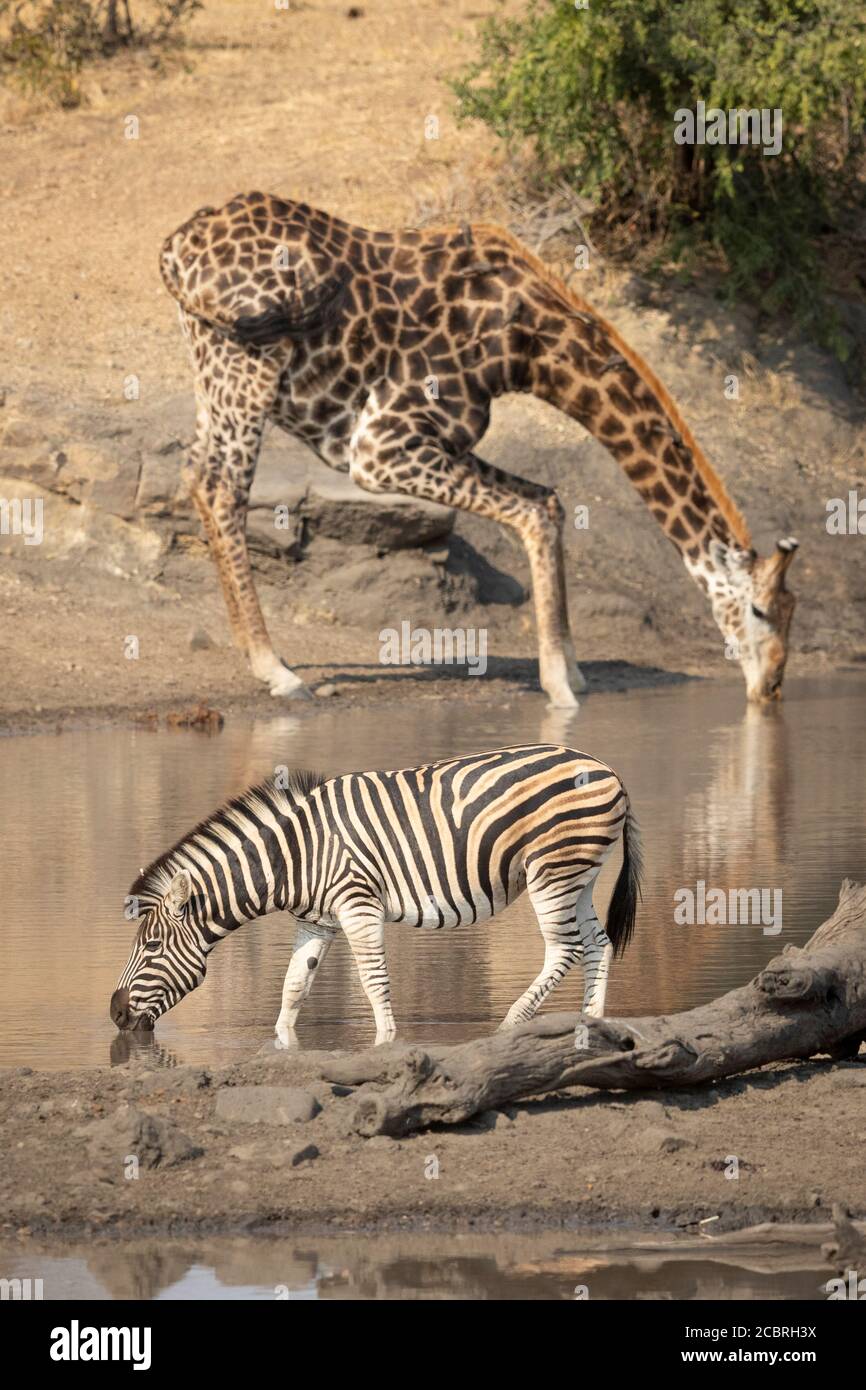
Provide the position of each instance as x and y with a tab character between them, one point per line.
45	44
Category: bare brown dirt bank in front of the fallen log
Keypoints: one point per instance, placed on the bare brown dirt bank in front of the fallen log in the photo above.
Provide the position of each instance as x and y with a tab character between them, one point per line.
208	1161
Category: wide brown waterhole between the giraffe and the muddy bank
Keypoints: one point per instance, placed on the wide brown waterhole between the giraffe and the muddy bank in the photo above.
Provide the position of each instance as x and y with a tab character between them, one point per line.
730	797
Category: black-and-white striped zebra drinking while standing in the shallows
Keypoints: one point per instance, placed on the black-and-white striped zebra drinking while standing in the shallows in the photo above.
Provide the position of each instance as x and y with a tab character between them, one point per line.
437	846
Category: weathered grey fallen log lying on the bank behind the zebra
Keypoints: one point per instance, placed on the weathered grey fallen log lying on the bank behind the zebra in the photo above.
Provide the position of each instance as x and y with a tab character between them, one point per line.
810	1000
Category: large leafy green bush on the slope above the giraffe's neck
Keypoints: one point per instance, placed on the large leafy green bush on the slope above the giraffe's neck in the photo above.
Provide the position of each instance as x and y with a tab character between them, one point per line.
596	90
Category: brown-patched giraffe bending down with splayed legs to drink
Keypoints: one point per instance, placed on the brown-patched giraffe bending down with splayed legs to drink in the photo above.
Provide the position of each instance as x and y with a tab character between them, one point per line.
382	352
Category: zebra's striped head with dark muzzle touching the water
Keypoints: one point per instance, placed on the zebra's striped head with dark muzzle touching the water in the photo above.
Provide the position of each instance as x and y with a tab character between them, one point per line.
169	958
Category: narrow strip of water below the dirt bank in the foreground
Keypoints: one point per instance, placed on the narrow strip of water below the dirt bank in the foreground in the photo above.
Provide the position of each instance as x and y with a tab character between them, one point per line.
543	1267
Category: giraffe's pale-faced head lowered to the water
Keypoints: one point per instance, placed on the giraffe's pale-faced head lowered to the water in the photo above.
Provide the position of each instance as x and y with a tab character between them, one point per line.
753	608
